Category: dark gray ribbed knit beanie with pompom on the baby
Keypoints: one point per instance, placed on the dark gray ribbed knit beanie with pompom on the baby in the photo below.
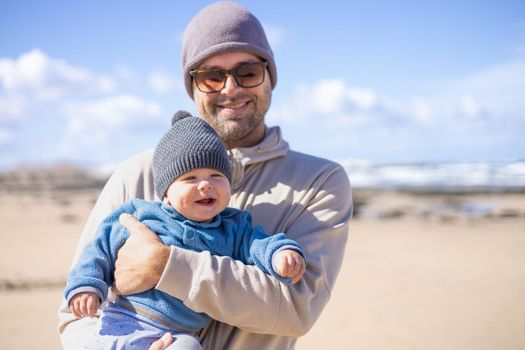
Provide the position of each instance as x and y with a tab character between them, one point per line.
189	144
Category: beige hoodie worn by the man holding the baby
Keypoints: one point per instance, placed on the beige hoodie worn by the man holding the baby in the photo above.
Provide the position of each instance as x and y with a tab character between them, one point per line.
306	197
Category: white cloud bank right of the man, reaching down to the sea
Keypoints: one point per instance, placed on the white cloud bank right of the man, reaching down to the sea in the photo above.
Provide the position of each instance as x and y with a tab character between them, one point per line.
477	116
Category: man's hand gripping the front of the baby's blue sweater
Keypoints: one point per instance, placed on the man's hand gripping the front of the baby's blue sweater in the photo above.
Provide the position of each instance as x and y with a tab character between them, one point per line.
141	260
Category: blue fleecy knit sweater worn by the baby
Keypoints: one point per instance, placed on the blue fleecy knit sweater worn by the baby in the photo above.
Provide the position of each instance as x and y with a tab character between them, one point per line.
230	233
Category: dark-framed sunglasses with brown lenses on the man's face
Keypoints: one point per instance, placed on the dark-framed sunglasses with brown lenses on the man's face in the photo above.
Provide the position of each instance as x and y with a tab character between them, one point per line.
246	75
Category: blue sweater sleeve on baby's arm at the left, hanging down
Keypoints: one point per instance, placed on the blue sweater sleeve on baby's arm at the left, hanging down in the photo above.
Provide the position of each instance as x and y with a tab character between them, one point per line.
94	270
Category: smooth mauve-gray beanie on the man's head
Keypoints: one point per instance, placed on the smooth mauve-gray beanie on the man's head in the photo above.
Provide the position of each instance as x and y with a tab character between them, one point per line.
221	27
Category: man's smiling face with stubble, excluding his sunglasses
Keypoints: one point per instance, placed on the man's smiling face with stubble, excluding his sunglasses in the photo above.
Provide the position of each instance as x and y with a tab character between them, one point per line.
236	113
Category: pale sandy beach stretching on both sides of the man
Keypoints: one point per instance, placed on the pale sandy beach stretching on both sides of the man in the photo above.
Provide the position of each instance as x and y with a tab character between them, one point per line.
421	271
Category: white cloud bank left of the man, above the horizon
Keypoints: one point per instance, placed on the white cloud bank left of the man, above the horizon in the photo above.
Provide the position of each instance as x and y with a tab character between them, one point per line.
78	114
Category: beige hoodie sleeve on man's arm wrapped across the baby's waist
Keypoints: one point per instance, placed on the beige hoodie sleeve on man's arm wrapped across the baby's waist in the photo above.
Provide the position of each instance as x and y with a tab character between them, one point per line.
232	292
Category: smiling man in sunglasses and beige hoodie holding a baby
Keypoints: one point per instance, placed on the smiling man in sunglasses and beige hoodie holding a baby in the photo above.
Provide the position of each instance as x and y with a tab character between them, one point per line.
229	71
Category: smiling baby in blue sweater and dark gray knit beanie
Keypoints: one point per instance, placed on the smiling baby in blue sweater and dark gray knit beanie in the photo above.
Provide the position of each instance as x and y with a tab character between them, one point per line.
192	176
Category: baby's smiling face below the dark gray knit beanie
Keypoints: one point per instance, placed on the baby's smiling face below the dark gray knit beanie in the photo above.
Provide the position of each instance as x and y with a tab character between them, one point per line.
199	194
